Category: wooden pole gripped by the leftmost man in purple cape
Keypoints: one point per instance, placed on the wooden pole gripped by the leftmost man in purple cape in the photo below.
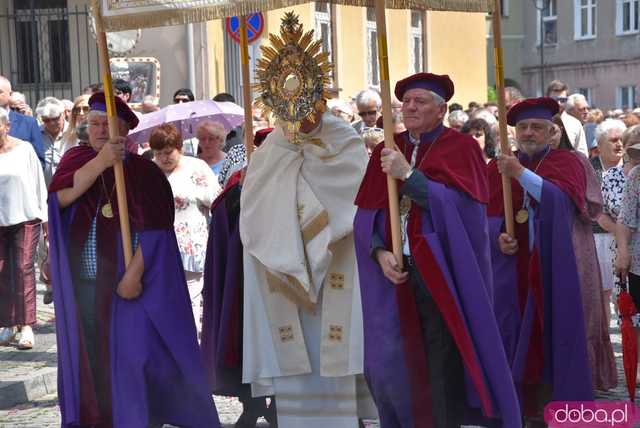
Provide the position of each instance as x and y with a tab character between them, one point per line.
118	171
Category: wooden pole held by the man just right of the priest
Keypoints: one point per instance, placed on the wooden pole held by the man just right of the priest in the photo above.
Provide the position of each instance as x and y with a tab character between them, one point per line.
385	92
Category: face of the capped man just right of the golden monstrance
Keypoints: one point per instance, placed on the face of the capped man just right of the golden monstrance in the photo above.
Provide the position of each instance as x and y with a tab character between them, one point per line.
420	112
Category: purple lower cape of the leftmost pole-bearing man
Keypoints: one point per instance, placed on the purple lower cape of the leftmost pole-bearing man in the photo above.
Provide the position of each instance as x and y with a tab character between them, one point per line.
156	371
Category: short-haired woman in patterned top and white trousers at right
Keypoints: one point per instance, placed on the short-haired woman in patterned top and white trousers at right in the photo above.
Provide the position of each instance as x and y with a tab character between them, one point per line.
610	150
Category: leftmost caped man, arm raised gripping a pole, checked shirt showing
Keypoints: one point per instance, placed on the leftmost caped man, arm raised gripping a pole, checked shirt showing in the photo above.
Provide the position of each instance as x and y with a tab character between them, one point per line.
127	348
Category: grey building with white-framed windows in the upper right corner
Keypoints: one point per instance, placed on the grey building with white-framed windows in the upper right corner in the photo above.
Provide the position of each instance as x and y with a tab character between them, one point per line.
591	45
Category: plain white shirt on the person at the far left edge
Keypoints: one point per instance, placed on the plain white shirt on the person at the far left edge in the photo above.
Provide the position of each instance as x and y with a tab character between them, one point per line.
23	193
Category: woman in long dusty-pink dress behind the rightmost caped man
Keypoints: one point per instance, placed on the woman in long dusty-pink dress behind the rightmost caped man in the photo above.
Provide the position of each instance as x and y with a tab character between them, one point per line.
594	304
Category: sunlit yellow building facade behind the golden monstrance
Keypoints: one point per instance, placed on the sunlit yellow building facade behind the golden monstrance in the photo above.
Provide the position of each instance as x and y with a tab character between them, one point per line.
438	42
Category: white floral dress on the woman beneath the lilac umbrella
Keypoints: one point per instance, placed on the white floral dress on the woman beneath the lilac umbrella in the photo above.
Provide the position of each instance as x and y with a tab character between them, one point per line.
194	189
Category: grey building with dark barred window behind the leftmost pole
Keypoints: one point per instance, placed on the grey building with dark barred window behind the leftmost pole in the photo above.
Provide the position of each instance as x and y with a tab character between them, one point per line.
48	48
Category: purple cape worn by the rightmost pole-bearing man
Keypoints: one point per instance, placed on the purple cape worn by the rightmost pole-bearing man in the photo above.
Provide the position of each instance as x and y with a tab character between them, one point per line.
566	364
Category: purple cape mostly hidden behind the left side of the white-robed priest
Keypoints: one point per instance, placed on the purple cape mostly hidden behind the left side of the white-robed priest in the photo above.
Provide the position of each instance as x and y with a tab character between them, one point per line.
222	295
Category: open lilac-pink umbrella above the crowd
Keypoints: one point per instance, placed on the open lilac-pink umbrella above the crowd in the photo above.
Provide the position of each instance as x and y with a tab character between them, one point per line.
187	116
